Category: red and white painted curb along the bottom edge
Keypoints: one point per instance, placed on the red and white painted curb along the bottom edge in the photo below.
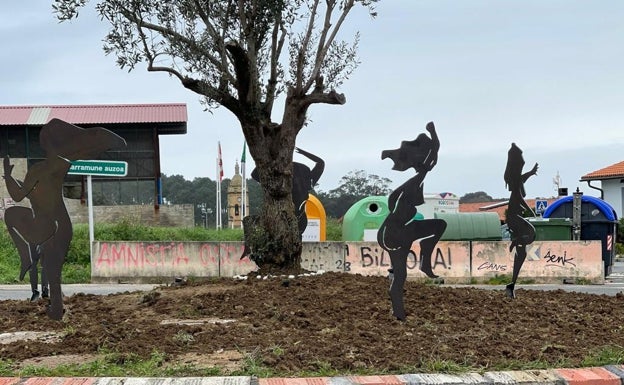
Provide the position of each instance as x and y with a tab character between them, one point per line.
607	375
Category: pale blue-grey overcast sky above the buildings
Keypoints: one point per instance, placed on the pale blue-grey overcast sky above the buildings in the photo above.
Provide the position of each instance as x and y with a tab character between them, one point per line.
547	75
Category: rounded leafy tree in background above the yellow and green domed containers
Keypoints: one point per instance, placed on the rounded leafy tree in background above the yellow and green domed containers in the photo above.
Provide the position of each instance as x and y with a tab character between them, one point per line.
354	186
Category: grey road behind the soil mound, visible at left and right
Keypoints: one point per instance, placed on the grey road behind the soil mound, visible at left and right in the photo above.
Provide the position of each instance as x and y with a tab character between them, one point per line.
614	284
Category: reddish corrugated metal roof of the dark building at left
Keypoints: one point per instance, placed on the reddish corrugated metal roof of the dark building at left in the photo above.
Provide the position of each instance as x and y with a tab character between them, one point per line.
167	114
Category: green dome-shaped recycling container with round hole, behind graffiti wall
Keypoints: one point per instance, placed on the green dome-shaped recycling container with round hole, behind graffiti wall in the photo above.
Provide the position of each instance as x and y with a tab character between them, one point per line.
364	218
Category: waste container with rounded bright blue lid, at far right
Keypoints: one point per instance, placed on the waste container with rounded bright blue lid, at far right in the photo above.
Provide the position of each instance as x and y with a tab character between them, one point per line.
598	222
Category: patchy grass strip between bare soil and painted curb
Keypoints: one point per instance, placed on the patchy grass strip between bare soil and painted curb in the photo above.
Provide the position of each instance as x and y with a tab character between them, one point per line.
112	364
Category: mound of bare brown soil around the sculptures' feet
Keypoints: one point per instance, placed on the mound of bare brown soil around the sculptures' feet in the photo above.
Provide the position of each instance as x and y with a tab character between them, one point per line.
333	320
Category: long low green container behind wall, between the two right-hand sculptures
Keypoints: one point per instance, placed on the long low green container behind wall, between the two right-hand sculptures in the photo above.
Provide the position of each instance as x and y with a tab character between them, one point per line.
471	226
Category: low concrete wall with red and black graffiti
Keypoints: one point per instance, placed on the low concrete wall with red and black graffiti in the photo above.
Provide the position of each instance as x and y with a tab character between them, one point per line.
456	262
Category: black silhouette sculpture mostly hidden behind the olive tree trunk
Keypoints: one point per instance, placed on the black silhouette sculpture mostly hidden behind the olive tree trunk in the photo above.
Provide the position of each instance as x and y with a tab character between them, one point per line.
303	182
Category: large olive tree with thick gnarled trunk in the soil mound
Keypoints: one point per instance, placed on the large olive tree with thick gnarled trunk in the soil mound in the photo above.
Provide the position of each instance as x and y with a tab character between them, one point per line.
232	54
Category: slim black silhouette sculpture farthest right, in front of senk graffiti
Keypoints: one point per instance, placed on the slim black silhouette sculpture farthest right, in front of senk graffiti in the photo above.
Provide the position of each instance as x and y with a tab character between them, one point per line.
522	232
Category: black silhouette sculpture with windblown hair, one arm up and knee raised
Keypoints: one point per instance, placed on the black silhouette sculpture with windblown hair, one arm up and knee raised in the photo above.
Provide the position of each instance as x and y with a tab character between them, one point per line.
401	227
